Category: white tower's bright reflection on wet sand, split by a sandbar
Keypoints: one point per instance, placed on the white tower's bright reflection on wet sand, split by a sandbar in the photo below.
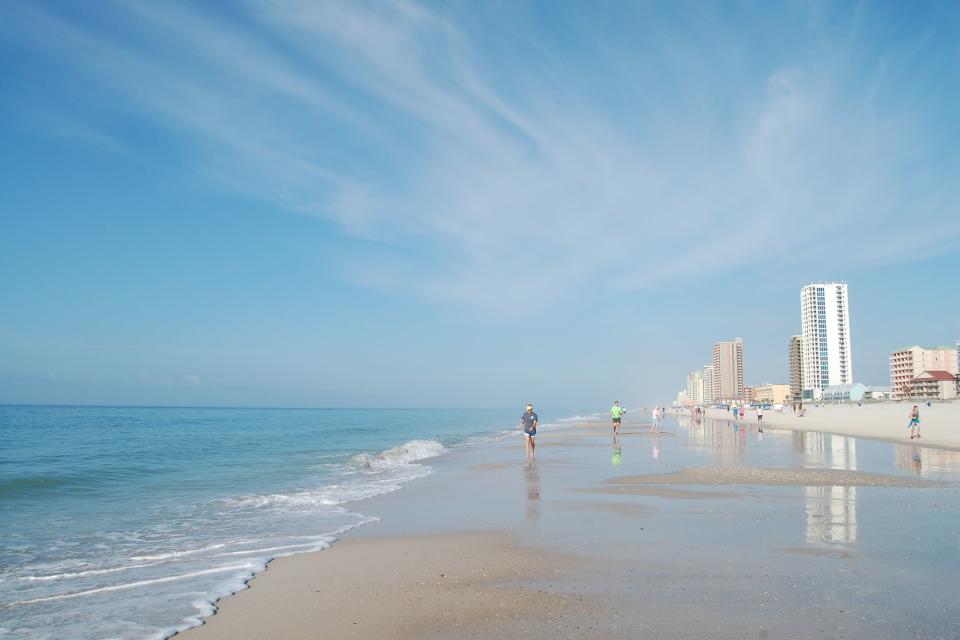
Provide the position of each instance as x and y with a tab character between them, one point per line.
831	511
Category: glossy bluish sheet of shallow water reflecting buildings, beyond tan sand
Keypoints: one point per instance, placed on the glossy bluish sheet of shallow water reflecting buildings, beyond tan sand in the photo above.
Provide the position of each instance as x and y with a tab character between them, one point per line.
715	530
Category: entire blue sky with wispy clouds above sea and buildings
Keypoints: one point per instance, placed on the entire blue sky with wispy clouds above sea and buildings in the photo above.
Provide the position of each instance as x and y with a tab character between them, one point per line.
464	204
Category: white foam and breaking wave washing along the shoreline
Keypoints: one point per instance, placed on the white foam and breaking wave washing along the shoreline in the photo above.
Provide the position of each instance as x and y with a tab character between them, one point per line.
159	574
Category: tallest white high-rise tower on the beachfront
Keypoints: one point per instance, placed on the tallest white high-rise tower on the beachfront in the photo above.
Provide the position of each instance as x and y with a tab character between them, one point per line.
825	321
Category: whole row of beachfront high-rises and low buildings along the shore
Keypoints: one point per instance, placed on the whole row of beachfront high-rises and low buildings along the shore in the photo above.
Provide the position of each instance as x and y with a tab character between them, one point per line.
820	364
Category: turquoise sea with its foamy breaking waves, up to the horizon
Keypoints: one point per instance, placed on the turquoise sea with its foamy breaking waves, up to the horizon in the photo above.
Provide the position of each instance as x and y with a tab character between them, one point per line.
129	522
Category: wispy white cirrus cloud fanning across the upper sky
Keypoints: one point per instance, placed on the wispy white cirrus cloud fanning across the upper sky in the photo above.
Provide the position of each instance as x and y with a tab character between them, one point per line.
490	164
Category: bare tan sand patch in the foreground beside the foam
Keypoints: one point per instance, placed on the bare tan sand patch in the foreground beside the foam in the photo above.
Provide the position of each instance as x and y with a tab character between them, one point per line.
452	585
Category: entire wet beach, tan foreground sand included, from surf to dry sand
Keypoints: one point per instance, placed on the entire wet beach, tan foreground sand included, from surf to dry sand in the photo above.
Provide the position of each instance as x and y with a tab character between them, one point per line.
701	531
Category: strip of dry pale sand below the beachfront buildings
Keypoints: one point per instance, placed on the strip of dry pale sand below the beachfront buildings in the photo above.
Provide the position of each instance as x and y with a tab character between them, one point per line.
940	424
